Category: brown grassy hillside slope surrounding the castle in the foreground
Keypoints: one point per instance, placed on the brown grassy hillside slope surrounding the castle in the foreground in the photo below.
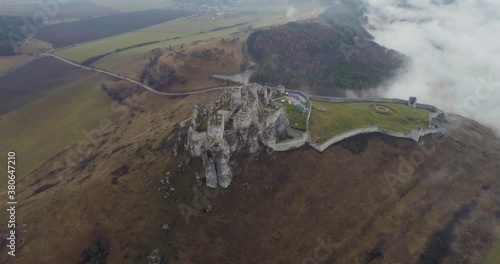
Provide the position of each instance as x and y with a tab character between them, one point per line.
280	208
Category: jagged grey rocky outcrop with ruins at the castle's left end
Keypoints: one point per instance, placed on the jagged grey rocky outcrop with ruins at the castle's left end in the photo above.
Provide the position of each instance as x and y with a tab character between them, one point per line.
215	137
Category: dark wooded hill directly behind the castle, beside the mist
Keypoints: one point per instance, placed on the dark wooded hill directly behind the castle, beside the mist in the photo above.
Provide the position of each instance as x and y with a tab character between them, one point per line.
319	57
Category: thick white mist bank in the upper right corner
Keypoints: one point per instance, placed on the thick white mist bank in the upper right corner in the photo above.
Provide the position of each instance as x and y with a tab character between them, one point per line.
454	50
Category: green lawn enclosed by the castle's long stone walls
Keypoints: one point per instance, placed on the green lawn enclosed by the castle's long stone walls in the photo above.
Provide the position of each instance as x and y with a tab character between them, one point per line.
341	117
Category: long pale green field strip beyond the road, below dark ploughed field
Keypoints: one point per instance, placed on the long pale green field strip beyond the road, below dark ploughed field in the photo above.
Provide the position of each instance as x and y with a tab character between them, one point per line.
172	33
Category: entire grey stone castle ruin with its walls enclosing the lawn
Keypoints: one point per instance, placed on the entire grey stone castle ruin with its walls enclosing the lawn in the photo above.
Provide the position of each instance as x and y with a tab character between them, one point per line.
246	118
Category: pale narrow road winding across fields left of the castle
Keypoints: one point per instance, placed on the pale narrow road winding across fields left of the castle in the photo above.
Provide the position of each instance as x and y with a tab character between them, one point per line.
134	81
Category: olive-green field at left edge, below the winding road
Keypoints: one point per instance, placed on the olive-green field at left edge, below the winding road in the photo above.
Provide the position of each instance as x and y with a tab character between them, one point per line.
42	128
